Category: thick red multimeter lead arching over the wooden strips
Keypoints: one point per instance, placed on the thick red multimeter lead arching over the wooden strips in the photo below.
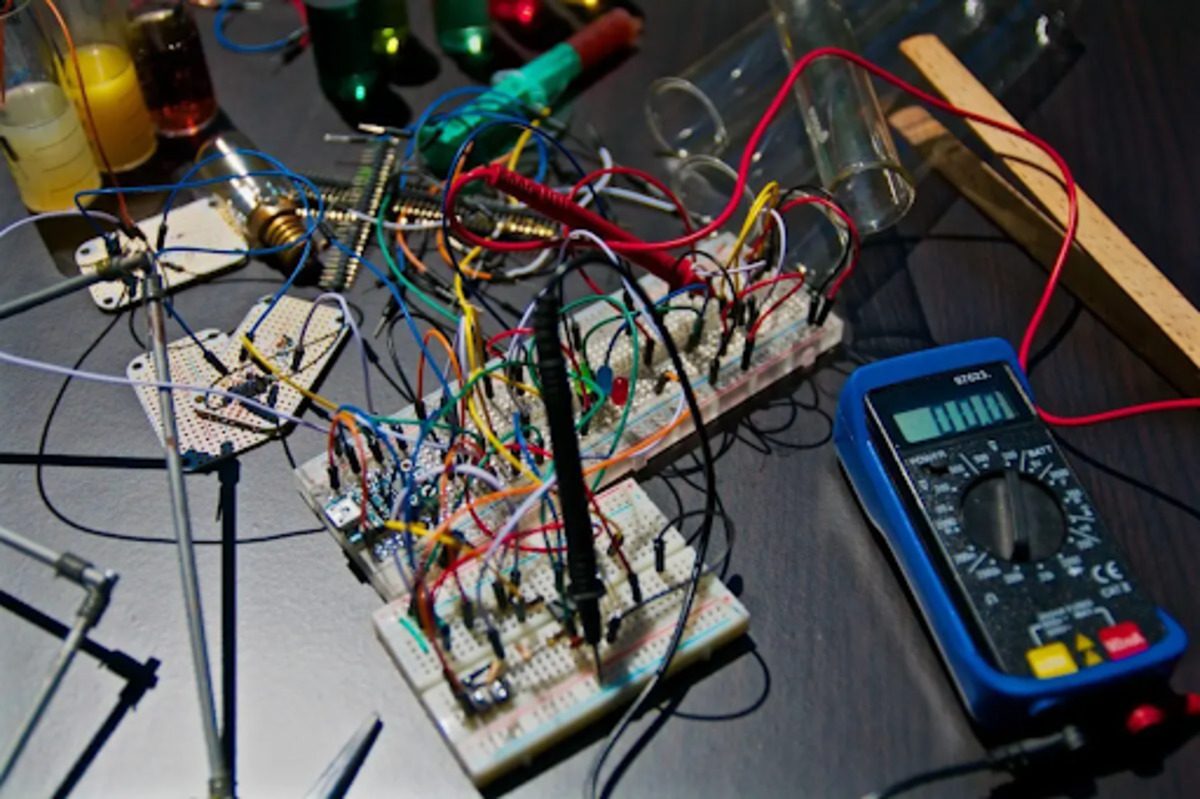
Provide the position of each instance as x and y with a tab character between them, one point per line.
752	147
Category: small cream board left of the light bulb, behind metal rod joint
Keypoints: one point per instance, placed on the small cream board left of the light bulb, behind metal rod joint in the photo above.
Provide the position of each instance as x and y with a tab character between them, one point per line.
201	224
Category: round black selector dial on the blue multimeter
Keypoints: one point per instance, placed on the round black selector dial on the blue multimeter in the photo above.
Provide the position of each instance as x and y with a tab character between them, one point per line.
1013	516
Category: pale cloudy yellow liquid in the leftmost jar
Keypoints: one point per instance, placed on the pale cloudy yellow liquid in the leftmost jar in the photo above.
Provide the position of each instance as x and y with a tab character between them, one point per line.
46	147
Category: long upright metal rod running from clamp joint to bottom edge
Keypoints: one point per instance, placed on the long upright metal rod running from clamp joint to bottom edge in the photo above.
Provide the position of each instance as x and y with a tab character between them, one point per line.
219	774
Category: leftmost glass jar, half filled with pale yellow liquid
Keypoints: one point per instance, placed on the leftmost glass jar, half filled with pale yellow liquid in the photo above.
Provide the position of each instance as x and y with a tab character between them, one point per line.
40	131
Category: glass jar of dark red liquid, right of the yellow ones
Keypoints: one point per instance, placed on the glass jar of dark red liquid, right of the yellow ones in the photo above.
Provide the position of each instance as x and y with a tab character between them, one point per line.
171	68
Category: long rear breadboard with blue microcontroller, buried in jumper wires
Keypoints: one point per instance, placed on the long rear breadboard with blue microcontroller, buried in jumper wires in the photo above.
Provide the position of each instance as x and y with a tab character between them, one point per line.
787	343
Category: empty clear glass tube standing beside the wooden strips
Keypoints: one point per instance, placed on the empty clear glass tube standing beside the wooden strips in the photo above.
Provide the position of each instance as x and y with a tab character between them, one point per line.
849	135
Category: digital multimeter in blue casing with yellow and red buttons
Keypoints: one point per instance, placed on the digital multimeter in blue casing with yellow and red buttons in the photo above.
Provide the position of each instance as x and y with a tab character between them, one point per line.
1029	600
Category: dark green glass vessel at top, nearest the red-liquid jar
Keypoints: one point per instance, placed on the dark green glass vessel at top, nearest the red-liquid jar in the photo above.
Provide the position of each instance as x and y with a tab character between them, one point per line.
349	73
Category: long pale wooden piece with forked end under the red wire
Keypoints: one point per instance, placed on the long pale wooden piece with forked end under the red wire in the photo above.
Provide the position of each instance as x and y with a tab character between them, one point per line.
1107	272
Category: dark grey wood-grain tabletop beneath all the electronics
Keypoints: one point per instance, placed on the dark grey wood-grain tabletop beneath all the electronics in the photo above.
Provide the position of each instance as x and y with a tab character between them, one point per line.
856	698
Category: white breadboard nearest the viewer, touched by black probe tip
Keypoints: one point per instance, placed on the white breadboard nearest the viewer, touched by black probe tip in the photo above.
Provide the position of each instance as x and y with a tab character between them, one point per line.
550	688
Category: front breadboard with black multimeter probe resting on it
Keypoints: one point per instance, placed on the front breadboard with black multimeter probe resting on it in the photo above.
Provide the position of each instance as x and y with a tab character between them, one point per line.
555	690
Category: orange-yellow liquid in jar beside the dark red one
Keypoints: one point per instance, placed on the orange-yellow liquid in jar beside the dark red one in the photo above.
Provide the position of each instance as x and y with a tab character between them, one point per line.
123	123
